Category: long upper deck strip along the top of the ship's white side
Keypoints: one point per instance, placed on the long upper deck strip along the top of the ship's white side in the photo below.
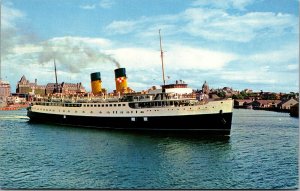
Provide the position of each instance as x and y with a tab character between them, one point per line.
131	101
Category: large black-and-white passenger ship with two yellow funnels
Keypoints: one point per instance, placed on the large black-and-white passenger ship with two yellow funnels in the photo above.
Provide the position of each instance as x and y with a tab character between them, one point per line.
173	108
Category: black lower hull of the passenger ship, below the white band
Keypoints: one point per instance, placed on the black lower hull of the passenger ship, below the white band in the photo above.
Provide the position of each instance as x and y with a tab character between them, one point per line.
204	123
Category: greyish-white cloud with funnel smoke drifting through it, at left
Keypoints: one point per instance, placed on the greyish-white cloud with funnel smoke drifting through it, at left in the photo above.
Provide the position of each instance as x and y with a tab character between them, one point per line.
73	54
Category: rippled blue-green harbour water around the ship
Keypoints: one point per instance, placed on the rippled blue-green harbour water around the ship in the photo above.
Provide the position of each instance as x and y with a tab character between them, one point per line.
261	153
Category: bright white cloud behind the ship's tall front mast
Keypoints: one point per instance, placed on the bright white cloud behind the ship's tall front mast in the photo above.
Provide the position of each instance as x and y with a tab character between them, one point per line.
177	57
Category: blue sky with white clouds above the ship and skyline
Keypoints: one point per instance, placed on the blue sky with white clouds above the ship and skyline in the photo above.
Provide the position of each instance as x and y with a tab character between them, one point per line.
241	44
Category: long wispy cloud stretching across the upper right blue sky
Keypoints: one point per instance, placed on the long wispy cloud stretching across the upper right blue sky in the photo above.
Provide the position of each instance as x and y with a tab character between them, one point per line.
212	24
